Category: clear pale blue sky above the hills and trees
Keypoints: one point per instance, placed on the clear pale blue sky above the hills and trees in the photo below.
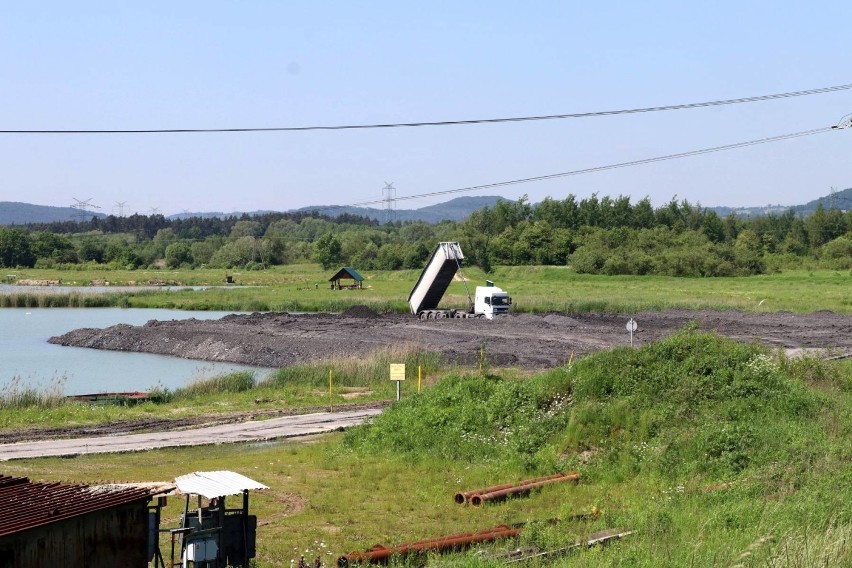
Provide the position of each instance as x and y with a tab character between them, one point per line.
116	65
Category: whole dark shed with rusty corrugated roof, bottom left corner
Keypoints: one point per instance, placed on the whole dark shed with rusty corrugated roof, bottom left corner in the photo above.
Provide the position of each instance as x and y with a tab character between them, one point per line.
57	524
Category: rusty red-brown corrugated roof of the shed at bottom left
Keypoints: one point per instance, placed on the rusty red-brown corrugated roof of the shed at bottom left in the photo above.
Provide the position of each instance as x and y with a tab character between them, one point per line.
27	505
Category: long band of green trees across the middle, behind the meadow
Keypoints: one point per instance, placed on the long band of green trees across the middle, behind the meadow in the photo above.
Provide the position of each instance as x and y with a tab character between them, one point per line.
593	235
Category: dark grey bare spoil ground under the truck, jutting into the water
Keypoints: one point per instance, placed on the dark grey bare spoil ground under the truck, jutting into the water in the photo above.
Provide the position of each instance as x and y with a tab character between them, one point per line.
525	340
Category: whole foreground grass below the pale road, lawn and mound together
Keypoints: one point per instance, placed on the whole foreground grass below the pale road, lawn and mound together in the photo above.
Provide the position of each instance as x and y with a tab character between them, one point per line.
716	453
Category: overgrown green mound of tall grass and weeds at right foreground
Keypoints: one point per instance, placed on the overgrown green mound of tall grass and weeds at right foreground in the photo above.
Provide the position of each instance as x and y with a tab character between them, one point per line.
715	452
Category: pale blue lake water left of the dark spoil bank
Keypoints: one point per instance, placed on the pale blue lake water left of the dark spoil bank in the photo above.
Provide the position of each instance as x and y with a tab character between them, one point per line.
26	354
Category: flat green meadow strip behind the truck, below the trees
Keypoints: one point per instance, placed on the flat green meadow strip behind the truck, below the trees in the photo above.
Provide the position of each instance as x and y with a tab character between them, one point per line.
533	288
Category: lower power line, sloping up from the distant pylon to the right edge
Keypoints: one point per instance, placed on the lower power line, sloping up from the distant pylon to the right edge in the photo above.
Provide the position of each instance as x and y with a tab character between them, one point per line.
608	167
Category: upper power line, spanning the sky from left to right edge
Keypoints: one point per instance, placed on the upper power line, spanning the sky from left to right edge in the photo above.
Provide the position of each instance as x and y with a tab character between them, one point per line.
818	91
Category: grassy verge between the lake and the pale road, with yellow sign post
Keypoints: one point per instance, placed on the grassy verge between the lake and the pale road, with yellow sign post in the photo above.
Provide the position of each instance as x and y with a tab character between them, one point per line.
299	386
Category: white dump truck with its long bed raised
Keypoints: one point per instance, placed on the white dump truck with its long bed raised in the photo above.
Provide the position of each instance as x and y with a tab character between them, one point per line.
441	268
